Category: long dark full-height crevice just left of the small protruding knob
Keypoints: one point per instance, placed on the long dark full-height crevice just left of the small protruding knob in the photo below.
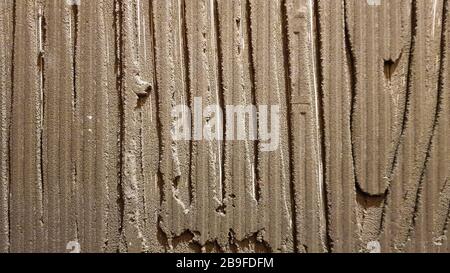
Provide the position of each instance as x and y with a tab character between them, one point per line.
118	25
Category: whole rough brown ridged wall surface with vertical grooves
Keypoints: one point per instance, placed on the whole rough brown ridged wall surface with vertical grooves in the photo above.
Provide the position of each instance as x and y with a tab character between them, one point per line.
87	149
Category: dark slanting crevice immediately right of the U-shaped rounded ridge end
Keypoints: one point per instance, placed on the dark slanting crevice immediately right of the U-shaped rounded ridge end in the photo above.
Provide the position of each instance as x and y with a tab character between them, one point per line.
406	111
